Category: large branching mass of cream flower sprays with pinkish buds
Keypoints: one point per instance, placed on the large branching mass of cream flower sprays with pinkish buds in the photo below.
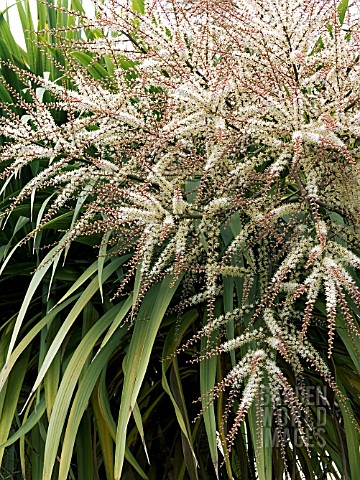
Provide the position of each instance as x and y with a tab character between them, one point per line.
224	145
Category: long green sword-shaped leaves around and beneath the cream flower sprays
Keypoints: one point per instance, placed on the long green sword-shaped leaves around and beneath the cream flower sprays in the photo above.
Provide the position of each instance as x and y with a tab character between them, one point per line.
124	410
